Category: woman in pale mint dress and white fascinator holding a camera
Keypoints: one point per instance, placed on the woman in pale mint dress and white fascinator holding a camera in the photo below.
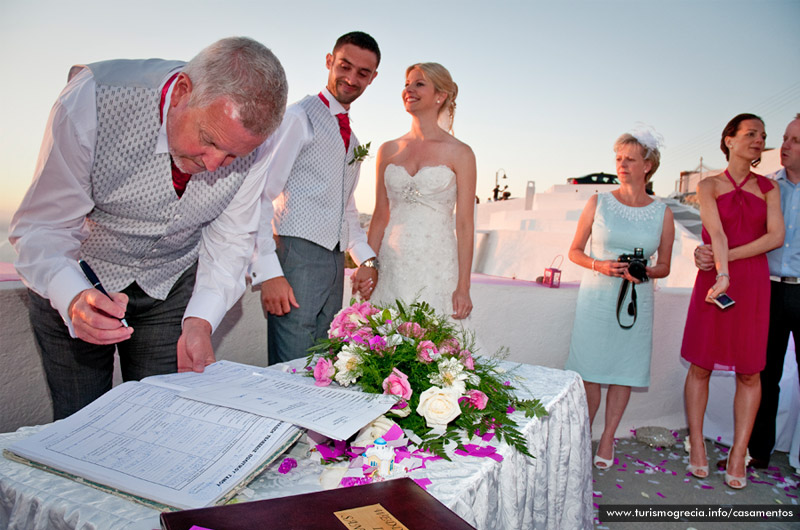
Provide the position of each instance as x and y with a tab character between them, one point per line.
607	347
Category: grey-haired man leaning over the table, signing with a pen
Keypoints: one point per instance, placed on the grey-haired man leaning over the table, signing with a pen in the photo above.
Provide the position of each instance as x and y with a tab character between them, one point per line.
150	172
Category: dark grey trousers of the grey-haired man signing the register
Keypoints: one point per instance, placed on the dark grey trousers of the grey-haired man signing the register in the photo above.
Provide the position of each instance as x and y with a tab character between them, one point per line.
79	372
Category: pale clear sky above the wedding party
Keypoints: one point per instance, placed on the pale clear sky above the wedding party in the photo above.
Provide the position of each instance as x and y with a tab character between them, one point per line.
544	87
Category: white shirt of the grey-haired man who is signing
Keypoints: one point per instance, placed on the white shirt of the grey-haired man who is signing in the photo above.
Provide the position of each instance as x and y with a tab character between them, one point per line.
50	224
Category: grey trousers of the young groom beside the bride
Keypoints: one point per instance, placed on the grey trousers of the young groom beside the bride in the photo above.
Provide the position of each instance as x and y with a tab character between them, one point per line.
316	275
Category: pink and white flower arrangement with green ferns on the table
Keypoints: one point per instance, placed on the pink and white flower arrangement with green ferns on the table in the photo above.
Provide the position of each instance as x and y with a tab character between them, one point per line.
444	393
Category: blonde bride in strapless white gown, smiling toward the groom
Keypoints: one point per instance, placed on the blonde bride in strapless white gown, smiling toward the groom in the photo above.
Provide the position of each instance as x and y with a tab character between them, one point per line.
424	250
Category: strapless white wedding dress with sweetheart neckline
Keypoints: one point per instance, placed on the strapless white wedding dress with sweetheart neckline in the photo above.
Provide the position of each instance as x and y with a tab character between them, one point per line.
418	255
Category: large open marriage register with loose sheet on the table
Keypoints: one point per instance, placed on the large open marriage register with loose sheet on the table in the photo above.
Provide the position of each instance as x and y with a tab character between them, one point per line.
190	440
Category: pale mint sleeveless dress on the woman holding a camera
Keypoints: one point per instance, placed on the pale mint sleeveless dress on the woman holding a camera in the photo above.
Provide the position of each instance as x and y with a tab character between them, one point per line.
600	350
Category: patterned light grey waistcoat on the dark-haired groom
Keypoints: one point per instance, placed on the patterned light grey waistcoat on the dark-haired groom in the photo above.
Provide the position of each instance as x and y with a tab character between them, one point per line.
312	205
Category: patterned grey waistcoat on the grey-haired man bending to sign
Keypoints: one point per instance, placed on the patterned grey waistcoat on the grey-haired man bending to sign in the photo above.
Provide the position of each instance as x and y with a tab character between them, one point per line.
140	231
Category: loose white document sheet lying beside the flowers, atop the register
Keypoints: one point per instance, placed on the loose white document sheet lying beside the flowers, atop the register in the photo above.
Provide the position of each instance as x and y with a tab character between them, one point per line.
335	412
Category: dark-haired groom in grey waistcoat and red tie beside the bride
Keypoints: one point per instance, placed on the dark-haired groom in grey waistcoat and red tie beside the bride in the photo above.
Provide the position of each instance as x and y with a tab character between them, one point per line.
308	214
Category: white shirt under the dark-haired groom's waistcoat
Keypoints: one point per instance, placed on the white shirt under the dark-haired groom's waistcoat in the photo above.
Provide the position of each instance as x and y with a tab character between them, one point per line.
283	147
